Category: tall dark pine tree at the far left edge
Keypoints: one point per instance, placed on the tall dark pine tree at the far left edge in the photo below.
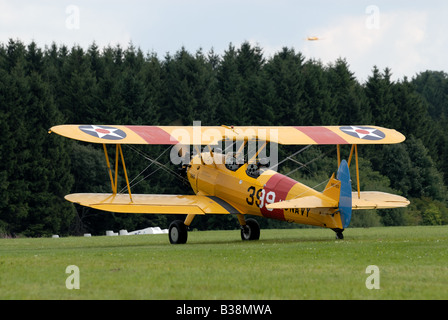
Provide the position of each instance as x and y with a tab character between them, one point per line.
14	154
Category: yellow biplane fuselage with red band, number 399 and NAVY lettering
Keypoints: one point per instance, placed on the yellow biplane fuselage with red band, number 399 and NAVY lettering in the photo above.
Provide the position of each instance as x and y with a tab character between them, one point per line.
250	191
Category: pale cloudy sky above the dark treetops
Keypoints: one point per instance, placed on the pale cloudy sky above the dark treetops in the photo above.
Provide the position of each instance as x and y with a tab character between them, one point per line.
406	36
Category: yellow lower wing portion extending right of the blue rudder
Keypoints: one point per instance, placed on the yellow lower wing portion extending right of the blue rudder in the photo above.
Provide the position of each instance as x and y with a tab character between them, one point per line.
378	200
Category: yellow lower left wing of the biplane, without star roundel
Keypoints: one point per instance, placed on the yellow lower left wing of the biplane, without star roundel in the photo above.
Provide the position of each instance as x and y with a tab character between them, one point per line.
156	204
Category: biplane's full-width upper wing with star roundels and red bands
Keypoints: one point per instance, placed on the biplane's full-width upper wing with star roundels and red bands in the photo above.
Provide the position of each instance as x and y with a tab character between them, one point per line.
205	135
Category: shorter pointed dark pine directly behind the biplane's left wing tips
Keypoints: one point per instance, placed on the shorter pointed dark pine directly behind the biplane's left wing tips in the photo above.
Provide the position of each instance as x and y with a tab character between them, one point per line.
47	168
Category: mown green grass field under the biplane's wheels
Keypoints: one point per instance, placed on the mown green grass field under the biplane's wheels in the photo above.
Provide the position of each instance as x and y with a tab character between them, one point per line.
283	264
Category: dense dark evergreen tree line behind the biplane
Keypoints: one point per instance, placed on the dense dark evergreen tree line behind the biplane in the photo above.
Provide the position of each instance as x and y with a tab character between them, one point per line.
43	87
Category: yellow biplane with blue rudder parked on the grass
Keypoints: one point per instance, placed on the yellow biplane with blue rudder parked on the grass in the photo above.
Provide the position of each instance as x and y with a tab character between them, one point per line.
235	178
